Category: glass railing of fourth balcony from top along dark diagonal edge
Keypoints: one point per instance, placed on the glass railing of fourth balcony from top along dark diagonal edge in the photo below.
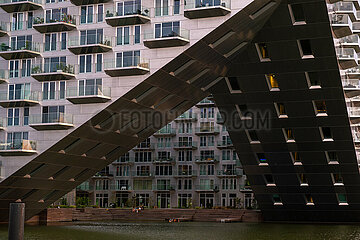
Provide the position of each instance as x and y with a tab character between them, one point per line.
88	91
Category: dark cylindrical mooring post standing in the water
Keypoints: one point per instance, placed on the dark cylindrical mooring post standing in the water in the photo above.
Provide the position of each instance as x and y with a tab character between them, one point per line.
16	221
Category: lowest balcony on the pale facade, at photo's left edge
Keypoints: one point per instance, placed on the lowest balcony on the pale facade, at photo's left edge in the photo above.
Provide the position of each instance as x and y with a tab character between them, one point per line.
18	148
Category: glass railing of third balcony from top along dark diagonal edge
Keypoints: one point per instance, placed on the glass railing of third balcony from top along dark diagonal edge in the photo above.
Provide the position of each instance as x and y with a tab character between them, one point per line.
127	62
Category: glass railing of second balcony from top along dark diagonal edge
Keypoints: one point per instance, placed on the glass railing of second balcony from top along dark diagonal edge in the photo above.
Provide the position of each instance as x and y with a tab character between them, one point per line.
167	33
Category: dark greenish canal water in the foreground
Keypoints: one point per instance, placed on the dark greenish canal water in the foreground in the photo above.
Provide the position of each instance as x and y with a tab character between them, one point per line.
188	231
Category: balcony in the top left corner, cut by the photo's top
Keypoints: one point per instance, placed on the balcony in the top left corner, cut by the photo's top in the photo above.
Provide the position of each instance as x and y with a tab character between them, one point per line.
11	6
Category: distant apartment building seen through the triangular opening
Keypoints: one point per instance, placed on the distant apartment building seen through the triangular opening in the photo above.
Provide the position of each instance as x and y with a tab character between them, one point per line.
189	163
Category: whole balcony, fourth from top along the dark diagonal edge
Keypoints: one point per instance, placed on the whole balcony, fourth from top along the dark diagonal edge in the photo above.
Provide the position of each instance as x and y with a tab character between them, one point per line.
88	95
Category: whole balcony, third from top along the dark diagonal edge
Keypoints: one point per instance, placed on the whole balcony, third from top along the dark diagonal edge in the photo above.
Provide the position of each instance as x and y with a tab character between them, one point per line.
131	66
